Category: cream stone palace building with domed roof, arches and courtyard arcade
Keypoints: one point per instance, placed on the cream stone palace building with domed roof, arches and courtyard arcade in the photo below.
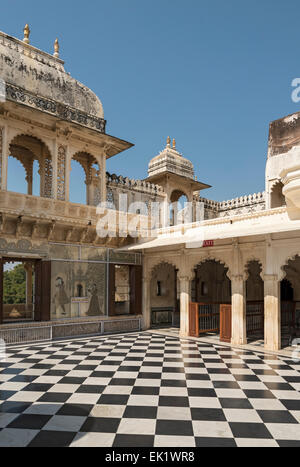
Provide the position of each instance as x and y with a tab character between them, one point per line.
230	269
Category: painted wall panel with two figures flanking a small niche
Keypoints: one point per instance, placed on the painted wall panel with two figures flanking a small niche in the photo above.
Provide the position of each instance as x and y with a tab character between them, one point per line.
78	289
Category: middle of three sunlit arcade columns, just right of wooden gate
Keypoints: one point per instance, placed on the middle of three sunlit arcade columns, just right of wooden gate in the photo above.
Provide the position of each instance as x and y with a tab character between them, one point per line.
238	301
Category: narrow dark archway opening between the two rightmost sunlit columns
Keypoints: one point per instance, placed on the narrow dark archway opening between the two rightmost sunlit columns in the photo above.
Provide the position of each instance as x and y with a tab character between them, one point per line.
255	303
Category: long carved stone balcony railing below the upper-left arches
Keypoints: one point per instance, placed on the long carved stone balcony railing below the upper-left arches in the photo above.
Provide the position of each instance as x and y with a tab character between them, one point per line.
32	215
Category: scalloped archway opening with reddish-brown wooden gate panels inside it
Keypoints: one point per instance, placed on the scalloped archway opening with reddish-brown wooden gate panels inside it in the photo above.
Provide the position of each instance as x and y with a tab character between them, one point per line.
211	301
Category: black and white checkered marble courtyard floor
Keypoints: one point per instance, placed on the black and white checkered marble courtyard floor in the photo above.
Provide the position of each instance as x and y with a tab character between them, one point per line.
147	390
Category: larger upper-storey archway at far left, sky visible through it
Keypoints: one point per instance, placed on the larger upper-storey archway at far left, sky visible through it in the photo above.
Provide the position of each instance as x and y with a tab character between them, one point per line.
30	168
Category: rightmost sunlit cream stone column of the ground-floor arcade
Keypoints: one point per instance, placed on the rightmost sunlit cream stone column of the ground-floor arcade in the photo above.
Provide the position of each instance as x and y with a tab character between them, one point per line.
272	312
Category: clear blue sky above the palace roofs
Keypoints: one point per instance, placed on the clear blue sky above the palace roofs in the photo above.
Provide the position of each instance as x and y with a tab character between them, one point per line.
211	73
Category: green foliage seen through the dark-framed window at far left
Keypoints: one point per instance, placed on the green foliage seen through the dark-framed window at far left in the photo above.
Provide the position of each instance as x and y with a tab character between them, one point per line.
14	286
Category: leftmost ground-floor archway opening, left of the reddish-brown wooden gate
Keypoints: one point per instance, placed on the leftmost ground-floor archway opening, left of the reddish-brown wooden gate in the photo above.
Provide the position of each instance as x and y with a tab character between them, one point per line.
164	300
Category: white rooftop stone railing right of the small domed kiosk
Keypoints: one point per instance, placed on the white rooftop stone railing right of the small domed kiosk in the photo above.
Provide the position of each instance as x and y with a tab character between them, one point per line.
241	205
